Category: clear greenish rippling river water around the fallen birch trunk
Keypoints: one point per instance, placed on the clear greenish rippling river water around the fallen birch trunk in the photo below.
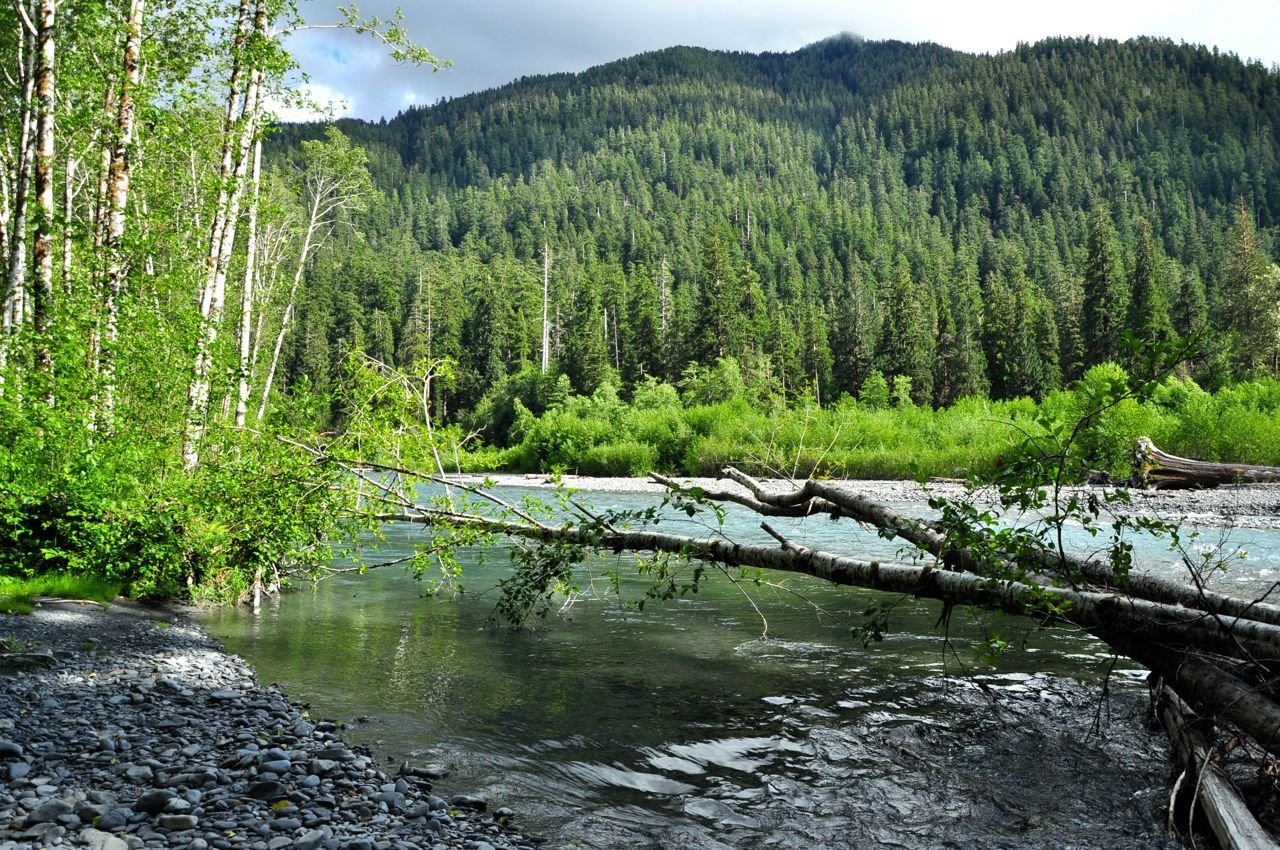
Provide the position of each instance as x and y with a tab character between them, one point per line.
735	718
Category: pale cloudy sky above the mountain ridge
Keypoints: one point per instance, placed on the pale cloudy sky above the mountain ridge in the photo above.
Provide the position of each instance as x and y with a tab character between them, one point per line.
493	43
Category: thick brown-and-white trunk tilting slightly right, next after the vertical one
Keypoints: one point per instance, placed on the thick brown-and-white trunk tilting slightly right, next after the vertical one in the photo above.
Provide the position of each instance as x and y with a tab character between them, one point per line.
117	200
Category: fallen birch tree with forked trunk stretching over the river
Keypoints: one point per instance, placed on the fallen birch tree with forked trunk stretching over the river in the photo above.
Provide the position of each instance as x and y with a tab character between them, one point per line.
1219	654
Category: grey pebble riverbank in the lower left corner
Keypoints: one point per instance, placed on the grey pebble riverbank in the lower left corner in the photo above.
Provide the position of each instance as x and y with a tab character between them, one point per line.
130	728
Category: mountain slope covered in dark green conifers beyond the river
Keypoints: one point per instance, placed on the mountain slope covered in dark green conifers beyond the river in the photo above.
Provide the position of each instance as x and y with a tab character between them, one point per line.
976	225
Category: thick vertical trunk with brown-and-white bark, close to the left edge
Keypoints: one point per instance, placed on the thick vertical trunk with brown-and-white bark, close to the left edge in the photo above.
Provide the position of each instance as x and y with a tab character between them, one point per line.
43	245
